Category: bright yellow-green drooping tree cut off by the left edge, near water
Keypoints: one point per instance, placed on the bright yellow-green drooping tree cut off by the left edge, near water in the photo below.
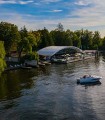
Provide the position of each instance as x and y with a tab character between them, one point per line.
2	56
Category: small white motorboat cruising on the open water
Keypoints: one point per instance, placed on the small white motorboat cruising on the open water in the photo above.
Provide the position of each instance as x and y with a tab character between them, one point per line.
88	79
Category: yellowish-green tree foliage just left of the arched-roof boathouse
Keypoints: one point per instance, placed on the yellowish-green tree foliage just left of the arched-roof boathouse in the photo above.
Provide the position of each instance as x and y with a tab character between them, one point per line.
28	41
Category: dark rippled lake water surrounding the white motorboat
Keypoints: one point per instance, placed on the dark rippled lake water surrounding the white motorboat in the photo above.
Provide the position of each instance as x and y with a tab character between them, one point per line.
52	93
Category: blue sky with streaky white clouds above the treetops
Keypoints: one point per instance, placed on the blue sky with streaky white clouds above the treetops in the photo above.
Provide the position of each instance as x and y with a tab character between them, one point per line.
72	14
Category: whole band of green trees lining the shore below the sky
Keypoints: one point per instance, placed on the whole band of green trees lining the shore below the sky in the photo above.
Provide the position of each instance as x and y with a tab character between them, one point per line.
28	42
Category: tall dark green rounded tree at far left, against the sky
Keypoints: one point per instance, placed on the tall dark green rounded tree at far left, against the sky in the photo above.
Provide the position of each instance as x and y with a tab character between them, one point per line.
9	34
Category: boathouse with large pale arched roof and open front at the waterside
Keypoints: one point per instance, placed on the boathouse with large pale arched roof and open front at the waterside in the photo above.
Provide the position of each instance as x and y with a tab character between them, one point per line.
58	52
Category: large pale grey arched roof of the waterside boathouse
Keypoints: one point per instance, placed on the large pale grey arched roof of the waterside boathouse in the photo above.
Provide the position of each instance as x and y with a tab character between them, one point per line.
51	50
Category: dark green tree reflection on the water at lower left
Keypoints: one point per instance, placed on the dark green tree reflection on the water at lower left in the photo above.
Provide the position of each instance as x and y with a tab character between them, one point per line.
12	82
